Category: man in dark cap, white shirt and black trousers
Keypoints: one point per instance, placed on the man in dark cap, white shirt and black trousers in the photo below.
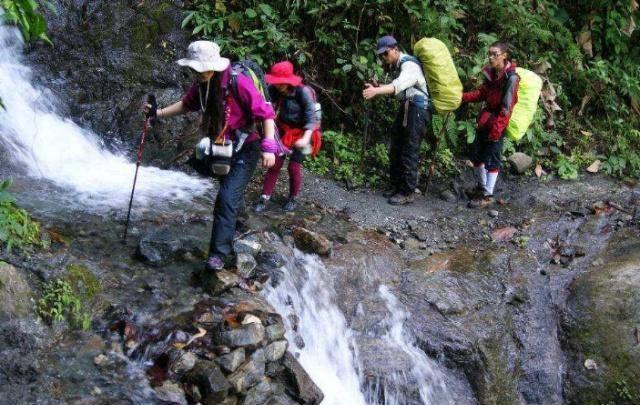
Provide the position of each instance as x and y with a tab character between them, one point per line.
414	115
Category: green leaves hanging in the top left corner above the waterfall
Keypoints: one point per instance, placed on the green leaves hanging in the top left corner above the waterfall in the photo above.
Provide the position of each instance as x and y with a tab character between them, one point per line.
26	15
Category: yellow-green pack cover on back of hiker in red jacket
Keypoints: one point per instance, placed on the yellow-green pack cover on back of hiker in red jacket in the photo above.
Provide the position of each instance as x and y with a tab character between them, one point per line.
524	110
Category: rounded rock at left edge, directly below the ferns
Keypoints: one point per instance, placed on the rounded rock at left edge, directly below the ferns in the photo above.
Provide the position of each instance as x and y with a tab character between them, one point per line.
15	293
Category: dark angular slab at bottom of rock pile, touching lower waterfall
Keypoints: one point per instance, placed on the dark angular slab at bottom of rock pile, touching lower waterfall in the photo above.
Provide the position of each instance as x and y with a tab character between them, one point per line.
297	382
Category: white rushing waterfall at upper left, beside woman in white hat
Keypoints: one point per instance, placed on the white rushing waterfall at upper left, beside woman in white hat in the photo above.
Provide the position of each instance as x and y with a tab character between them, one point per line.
47	146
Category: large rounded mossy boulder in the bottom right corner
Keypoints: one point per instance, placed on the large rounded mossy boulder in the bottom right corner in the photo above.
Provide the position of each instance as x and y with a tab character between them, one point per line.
601	325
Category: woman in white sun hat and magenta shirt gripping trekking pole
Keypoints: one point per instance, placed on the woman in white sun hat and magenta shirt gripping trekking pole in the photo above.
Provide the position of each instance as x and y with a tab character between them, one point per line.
227	113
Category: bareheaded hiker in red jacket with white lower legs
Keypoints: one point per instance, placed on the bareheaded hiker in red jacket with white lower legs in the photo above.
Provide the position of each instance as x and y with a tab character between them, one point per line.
500	93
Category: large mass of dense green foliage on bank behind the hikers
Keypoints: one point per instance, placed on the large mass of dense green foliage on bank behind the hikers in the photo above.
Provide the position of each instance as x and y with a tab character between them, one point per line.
332	43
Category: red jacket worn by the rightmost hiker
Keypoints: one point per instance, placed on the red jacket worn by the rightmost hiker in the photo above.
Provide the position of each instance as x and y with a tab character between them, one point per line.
500	94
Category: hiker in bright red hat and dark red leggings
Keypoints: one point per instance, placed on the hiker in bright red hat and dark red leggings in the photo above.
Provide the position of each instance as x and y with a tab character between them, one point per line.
299	129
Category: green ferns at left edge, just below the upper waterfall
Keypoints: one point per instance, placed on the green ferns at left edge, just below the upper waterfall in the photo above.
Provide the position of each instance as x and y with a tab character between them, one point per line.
16	227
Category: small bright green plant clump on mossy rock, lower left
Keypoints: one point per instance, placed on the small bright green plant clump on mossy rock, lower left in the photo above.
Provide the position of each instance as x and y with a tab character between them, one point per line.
60	303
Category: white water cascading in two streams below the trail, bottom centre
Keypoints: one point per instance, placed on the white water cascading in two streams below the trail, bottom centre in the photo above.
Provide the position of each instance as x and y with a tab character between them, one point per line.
330	353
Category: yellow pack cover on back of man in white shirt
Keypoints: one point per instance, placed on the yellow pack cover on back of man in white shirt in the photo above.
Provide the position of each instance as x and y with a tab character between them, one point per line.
442	76
